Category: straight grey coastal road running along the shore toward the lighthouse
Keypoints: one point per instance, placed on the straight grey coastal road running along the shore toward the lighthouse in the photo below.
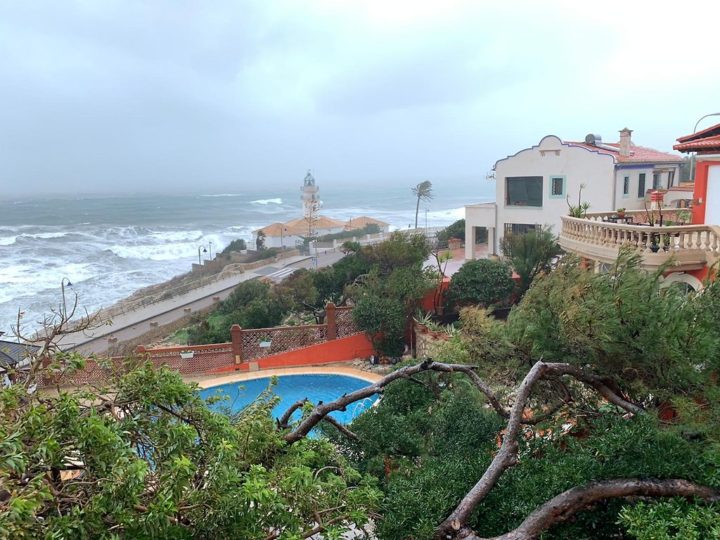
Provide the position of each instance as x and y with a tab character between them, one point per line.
134	323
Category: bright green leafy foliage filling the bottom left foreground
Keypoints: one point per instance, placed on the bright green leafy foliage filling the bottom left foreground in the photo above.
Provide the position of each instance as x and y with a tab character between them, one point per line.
149	459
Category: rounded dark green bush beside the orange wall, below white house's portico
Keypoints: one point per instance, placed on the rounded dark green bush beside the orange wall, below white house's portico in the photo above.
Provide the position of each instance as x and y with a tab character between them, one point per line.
481	282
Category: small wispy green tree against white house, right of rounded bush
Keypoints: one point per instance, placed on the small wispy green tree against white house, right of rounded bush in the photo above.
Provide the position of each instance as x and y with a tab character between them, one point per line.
530	254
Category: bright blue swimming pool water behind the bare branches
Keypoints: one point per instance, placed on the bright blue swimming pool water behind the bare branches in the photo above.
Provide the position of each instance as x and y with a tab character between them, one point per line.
291	388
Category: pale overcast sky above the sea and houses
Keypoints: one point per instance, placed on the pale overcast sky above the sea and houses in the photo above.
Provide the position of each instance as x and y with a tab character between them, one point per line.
125	96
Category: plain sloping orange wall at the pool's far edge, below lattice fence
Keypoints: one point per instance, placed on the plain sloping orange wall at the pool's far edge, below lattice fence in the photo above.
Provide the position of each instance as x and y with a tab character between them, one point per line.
336	350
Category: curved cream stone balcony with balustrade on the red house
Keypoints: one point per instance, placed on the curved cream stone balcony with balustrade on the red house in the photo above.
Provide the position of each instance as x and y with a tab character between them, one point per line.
684	247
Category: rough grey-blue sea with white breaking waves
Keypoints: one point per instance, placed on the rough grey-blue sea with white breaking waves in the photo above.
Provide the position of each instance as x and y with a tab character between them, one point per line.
107	247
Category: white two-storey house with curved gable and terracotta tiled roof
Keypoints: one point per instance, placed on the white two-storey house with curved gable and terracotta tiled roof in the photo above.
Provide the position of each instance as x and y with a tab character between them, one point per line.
535	185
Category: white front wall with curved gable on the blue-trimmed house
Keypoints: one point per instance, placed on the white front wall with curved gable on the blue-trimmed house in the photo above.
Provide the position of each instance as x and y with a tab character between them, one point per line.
553	158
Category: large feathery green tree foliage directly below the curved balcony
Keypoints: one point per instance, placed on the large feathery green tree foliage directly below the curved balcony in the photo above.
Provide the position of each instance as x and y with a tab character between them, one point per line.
648	339
